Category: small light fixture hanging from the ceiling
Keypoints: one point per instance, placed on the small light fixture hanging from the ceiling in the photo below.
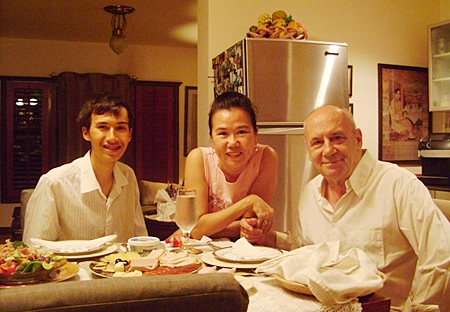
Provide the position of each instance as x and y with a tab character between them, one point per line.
118	41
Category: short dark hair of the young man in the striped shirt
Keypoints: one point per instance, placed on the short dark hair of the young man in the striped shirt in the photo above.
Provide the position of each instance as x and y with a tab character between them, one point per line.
103	104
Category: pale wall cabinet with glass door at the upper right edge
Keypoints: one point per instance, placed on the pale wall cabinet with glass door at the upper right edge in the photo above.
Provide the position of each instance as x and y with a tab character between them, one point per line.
439	67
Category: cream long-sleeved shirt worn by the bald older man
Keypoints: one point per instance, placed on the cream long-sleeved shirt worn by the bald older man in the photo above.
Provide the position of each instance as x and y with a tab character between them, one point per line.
388	213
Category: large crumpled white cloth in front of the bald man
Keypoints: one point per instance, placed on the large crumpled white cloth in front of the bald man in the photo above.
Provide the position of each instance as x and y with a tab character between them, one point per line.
332	276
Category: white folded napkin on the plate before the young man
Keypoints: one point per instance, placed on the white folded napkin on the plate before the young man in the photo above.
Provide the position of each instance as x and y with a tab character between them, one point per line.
73	246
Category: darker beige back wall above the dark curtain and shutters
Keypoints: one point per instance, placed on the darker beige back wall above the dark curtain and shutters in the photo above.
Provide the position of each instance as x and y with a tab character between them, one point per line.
40	58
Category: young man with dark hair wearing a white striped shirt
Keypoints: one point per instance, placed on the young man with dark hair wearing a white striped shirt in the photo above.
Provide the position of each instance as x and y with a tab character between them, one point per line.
94	195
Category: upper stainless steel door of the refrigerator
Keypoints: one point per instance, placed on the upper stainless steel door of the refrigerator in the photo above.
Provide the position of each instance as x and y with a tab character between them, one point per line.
286	79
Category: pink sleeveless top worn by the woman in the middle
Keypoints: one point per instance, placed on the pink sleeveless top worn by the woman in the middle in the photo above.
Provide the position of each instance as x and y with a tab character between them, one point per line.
222	194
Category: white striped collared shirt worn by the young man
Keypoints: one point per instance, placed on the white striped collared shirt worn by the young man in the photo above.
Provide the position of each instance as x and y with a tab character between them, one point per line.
68	204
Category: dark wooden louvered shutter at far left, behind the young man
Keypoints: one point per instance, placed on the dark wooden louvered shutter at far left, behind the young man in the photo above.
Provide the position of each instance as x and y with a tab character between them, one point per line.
28	134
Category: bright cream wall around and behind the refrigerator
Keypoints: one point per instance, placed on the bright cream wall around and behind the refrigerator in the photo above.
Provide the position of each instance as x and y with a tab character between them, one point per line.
382	31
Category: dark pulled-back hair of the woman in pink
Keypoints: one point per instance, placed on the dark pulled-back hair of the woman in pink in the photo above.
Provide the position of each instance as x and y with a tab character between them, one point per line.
229	100
